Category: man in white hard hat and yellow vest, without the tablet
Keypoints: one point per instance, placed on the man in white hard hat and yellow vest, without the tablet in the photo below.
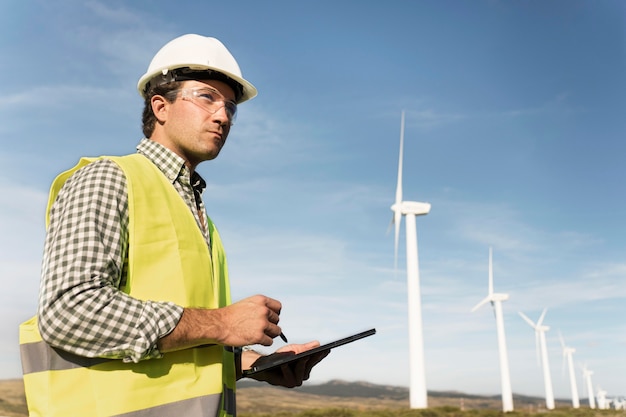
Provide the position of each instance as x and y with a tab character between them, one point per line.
135	316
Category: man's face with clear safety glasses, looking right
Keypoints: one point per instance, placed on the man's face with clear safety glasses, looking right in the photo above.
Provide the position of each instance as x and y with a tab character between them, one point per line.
197	123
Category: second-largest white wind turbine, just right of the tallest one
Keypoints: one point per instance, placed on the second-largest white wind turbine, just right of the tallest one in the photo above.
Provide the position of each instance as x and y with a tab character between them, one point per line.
496	302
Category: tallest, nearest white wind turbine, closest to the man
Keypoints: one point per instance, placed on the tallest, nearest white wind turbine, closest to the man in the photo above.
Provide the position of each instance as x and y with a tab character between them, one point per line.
411	209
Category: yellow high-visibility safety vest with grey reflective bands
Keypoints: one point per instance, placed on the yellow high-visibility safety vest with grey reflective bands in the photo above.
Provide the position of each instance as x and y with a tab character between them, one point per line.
169	260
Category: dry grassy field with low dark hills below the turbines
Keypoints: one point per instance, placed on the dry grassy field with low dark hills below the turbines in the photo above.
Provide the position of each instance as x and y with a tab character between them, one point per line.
350	400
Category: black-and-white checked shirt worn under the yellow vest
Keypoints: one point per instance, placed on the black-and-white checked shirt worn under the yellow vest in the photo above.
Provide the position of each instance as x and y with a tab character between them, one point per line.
81	309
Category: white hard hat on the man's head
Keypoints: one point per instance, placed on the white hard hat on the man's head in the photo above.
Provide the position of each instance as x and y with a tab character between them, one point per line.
194	57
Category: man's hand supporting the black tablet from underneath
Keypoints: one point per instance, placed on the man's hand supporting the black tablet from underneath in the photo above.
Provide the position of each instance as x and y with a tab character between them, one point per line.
288	375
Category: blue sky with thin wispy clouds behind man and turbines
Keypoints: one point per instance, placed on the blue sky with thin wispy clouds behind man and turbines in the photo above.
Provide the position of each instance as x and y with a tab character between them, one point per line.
514	133
